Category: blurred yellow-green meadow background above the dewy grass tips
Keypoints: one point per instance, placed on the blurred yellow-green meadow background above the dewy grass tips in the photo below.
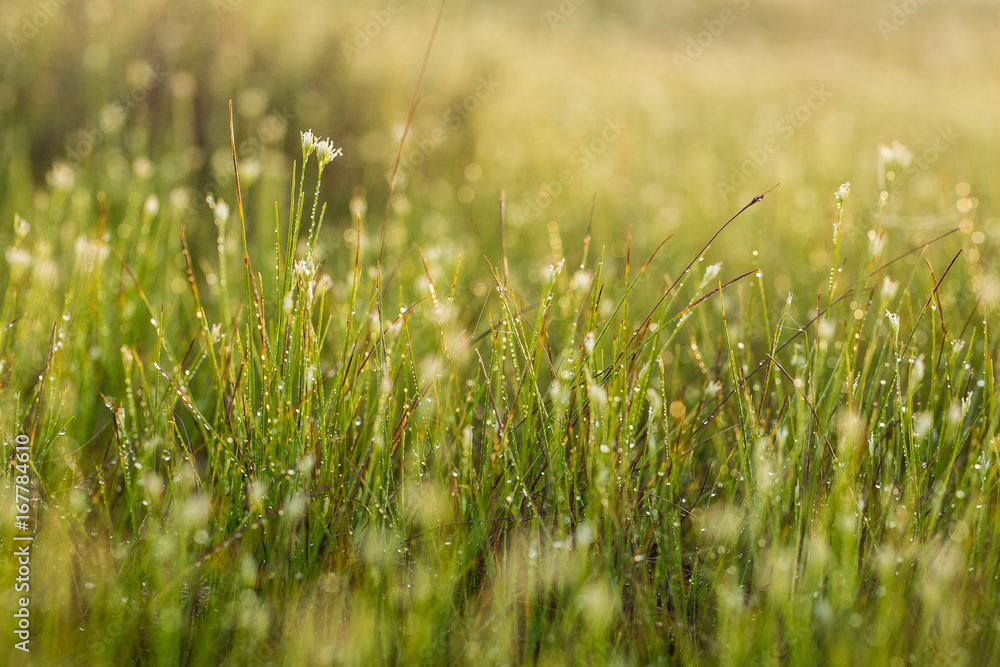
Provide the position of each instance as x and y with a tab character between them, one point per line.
673	115
